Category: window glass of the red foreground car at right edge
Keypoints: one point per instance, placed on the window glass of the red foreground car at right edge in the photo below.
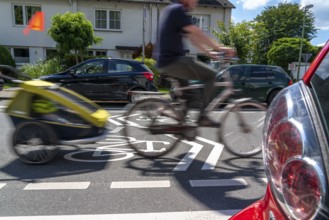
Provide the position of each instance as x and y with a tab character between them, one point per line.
320	85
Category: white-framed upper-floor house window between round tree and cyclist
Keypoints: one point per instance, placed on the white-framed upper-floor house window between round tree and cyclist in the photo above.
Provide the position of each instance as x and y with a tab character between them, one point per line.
107	20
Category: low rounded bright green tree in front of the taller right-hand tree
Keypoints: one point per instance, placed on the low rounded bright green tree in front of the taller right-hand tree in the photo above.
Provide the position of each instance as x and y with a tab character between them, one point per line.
285	50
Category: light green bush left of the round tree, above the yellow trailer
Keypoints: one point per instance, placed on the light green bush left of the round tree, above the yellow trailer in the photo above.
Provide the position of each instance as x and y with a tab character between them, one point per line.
42	68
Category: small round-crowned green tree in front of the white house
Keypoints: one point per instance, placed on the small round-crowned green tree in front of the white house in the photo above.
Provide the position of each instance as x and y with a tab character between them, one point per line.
73	32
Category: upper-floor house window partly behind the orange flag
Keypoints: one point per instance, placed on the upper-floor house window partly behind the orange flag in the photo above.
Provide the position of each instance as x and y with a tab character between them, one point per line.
23	13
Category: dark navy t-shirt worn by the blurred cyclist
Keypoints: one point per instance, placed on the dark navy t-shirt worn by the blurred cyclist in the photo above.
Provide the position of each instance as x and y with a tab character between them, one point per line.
170	43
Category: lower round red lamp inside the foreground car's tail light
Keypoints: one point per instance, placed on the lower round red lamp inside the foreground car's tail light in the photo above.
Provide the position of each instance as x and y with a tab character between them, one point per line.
301	187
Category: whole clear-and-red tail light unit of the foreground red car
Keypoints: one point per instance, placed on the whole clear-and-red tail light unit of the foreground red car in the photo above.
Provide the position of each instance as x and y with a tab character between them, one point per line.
292	153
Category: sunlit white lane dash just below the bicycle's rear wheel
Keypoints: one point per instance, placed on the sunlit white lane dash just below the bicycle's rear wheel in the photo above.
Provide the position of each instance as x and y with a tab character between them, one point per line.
140	184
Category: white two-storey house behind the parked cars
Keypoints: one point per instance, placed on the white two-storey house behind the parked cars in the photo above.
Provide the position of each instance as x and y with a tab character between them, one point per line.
123	24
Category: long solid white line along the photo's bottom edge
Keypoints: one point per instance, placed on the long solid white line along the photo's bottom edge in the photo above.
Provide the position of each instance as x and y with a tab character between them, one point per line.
189	215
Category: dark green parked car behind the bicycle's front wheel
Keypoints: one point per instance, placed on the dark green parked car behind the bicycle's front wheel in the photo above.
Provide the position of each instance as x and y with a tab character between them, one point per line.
260	82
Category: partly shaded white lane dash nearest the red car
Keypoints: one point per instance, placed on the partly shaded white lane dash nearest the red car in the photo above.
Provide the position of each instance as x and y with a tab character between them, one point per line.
218	182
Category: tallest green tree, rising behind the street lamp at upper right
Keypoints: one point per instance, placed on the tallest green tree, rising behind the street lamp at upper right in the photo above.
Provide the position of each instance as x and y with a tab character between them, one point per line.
282	21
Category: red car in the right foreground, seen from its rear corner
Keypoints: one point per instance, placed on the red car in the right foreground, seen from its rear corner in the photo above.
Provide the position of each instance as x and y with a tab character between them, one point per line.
296	150
